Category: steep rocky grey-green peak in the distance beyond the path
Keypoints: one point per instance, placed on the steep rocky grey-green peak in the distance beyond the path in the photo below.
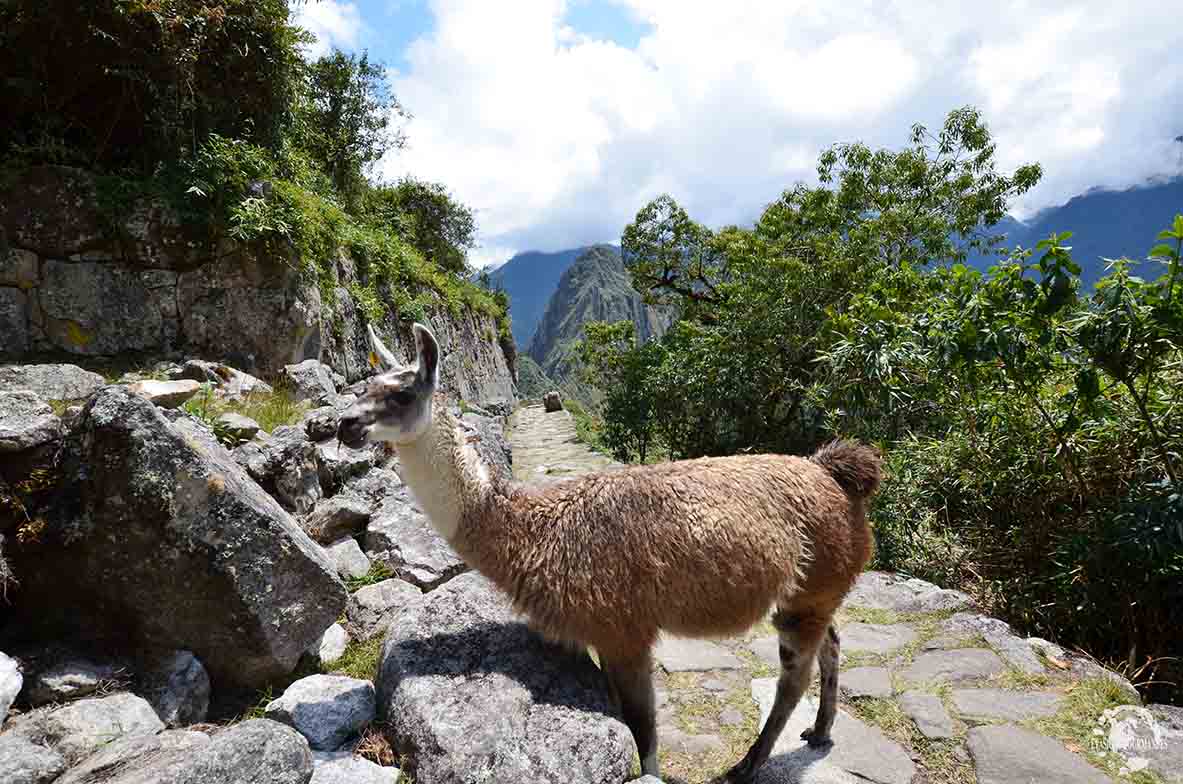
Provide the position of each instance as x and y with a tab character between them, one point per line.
597	288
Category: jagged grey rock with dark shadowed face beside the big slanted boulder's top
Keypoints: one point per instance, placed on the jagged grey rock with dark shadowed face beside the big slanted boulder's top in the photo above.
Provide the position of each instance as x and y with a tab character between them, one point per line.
285	465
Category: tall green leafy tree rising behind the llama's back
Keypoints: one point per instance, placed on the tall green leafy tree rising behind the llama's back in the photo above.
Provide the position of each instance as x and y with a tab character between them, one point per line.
768	304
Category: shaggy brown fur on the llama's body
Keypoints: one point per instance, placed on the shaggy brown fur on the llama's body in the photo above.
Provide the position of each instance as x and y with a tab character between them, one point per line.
697	548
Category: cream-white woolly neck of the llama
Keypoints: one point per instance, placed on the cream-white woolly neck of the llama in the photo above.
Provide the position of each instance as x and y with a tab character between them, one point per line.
445	474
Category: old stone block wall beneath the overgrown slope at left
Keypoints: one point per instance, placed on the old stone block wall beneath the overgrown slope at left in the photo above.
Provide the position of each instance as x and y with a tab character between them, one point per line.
72	283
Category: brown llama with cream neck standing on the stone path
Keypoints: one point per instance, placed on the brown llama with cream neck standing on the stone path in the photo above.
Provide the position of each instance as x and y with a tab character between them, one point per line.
695	548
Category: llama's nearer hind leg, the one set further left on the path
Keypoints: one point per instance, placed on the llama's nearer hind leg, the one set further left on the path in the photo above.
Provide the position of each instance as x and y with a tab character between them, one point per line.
800	637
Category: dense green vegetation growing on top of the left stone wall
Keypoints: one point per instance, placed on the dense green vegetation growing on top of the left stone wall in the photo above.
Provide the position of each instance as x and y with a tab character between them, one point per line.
210	108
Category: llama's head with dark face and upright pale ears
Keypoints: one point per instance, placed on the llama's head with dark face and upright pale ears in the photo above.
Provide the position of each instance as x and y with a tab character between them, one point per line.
397	405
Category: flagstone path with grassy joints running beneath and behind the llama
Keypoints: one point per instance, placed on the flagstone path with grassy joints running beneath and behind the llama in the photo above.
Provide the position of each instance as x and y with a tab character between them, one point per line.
932	691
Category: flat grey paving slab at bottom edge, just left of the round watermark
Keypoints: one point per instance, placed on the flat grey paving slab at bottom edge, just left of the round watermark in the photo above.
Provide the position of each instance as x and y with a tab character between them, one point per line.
1011	755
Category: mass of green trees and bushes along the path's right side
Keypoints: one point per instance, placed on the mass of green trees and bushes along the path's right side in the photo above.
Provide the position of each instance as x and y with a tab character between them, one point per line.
1033	431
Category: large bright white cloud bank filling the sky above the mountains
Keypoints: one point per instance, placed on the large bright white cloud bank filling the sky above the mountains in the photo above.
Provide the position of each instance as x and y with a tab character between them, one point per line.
558	139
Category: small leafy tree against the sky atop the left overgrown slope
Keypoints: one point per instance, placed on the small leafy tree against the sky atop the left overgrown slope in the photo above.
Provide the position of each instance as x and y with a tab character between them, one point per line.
345	120
